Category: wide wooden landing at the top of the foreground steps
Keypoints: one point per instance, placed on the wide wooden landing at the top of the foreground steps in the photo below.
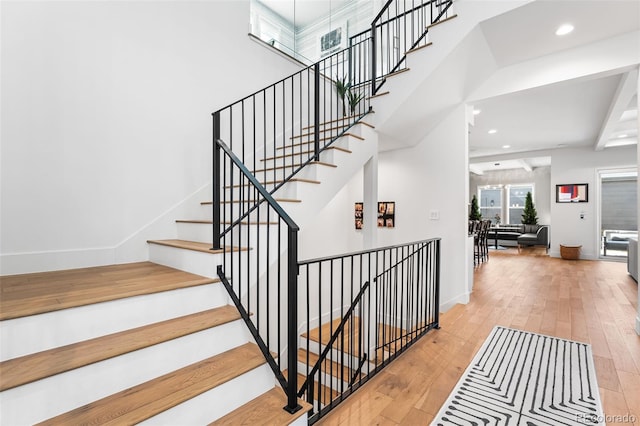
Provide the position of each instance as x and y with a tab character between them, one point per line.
37	293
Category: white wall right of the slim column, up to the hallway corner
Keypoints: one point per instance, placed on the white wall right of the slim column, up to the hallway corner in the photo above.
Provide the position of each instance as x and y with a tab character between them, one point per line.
429	178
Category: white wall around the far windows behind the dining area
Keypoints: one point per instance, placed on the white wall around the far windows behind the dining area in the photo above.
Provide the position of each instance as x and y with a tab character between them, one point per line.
540	177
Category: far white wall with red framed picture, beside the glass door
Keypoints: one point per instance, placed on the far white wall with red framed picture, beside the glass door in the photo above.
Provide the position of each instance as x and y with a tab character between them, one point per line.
581	166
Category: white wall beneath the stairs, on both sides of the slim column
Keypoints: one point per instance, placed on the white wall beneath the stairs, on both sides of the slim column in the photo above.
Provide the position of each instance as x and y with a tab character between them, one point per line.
420	180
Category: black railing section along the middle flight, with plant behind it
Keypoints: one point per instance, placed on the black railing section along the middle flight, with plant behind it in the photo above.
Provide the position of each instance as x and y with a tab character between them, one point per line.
279	130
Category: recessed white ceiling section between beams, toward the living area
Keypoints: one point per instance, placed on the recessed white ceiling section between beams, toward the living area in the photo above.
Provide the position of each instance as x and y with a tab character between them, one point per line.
560	115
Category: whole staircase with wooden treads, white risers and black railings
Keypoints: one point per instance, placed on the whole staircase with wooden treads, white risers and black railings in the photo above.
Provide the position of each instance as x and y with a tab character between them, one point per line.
190	337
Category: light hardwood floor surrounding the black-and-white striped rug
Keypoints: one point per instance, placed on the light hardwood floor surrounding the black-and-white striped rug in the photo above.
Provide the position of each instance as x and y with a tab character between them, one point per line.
589	301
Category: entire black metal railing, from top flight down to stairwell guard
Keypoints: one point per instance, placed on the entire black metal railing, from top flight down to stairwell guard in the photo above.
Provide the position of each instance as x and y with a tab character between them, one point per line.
380	301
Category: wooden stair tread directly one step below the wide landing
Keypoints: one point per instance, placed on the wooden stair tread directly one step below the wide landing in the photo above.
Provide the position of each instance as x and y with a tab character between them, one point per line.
29	368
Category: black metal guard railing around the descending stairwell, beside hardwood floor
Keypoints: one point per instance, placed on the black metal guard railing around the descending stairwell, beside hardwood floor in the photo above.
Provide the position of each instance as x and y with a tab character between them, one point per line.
362	310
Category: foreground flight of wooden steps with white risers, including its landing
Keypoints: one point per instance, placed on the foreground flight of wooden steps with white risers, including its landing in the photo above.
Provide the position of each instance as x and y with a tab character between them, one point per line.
125	343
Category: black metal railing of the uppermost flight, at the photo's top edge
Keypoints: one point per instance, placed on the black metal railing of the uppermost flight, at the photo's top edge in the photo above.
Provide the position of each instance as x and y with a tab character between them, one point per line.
401	26
